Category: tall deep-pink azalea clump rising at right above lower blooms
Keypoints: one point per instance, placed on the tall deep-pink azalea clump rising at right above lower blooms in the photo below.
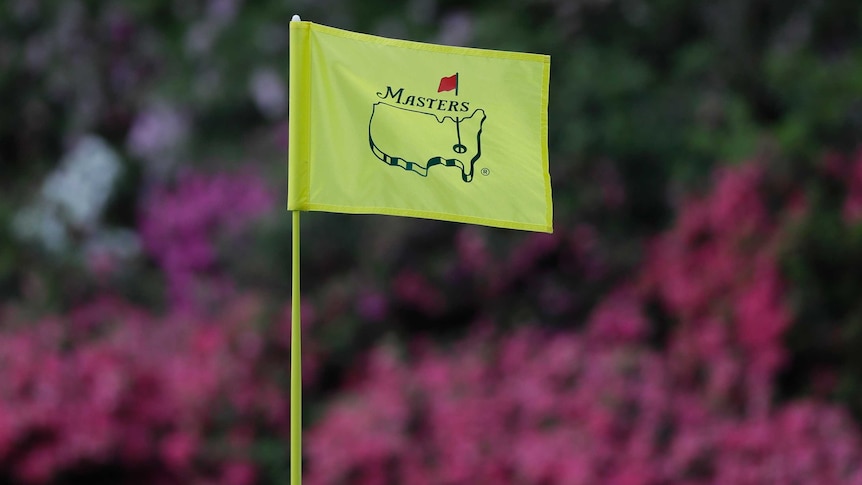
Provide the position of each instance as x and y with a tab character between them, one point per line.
716	273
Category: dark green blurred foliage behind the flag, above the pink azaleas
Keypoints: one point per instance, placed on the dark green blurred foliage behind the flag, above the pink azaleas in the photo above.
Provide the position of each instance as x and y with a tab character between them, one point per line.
647	98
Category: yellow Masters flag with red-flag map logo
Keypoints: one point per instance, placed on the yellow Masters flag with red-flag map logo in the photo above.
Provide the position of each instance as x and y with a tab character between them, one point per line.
404	128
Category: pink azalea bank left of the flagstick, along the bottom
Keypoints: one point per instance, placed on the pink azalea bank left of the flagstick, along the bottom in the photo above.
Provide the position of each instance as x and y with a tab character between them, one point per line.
177	399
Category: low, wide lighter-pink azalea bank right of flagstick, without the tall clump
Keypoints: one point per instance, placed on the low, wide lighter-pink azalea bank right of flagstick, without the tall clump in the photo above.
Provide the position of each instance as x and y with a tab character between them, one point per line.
565	408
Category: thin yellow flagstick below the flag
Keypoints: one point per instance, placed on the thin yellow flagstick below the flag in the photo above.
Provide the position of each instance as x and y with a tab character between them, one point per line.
295	364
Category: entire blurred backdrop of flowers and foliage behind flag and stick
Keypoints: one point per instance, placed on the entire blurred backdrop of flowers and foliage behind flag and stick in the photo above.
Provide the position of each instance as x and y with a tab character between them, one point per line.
696	317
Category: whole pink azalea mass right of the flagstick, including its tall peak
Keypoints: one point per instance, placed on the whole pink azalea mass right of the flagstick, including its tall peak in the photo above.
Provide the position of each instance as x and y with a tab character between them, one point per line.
616	402
